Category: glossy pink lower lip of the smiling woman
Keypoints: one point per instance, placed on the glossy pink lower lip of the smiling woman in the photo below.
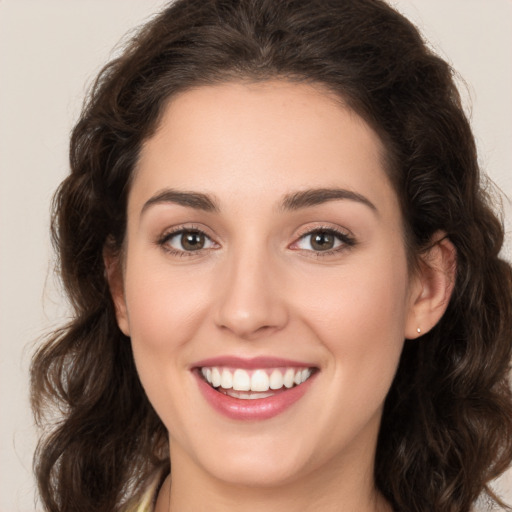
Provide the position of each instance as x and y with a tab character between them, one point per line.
252	410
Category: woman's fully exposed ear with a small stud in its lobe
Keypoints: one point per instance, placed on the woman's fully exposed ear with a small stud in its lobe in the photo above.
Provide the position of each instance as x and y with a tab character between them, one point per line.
431	286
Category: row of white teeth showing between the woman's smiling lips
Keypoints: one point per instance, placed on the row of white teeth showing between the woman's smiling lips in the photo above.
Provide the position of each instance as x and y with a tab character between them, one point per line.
260	381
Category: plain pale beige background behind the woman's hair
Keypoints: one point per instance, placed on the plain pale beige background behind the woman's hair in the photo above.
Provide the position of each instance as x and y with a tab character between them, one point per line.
49	51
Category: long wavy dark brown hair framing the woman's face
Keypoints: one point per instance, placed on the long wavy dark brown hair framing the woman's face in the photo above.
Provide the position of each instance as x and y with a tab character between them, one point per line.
447	424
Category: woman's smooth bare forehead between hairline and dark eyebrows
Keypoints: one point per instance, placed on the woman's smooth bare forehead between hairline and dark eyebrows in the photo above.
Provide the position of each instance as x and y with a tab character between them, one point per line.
259	140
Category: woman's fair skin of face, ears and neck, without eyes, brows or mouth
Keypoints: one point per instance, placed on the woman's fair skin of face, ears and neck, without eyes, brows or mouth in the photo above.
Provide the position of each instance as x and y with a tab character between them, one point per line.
260	289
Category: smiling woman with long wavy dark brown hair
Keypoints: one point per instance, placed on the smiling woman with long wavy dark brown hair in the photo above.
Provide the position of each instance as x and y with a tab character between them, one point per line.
284	270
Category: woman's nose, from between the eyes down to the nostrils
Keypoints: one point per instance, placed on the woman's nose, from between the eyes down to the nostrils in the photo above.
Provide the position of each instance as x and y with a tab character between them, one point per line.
252	296
